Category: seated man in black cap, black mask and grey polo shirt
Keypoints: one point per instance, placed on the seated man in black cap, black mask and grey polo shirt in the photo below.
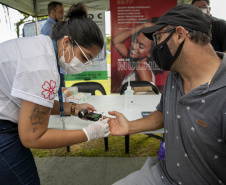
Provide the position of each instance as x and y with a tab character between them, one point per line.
192	109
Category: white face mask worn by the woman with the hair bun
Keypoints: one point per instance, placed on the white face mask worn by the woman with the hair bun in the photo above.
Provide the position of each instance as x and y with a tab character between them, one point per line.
74	67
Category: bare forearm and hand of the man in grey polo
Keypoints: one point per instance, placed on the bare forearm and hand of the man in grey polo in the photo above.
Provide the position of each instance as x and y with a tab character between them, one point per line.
121	126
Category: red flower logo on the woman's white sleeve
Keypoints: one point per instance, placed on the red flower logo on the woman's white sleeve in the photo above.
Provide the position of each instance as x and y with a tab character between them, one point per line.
50	89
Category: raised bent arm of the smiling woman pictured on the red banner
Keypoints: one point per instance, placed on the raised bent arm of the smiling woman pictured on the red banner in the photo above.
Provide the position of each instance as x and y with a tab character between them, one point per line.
118	40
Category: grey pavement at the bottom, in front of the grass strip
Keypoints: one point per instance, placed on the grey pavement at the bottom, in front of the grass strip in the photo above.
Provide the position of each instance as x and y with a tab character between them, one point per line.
86	170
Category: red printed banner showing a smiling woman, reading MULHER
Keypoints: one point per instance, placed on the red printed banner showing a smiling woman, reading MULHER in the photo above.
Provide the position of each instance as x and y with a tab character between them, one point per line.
131	51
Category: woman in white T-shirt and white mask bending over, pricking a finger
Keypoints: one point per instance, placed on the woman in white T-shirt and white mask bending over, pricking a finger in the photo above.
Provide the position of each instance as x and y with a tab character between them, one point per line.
29	81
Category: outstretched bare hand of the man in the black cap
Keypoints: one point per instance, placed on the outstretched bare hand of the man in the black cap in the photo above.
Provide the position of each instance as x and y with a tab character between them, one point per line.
118	126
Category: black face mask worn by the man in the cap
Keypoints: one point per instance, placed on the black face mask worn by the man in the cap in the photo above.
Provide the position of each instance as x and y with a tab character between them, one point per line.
162	55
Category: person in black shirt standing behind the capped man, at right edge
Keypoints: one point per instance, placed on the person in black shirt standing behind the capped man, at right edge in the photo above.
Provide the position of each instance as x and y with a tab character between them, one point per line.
218	40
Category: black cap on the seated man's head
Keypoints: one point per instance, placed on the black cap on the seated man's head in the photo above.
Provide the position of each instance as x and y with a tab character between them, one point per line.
186	15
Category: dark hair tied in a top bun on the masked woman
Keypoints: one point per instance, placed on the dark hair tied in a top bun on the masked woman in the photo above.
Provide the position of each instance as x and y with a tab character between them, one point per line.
78	27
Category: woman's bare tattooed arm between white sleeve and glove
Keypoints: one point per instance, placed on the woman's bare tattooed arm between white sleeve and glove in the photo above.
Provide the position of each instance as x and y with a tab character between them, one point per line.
34	131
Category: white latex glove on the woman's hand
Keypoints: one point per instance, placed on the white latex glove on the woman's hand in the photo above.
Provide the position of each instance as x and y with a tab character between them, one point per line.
97	130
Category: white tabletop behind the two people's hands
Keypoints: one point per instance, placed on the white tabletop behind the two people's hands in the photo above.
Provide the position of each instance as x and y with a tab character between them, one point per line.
105	103
